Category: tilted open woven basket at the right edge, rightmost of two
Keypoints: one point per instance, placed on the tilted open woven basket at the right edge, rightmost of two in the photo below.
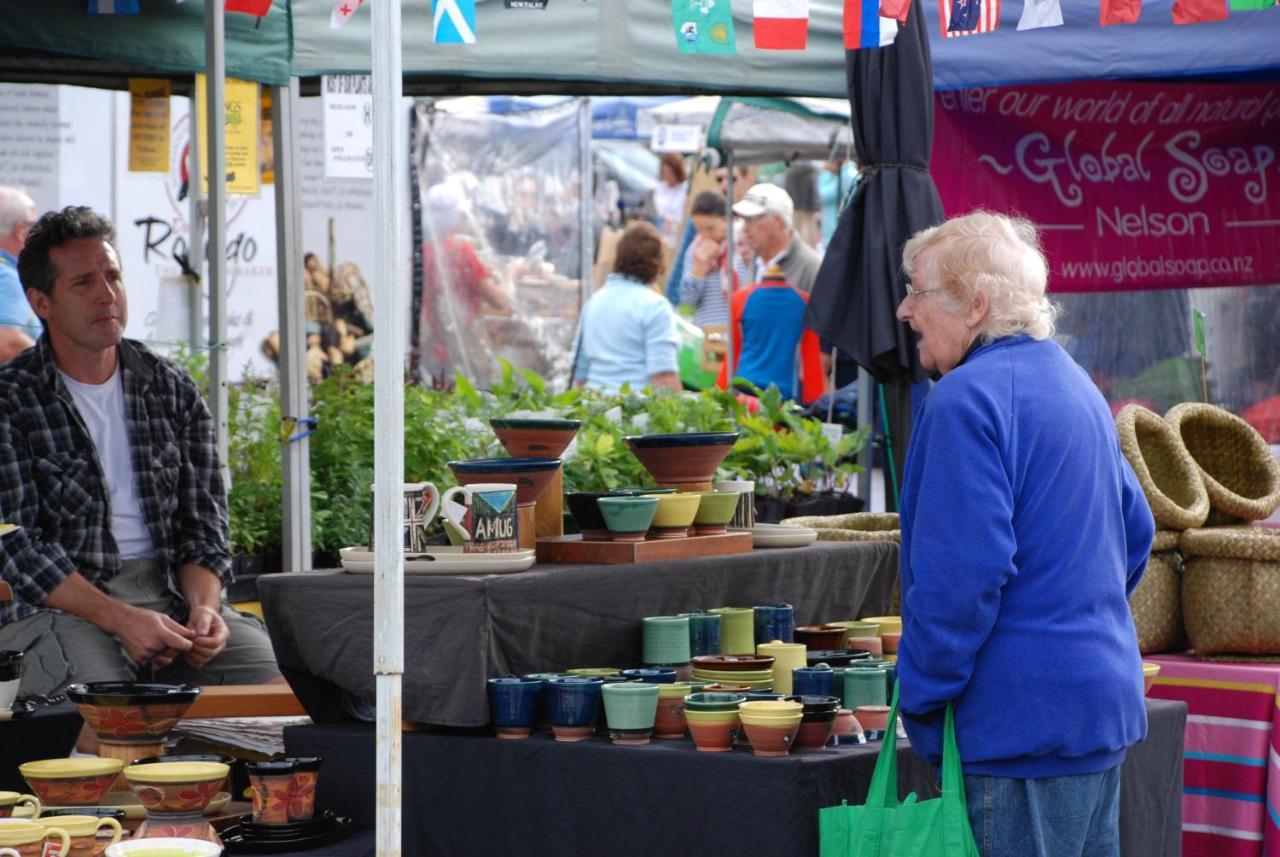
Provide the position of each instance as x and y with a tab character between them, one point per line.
1241	474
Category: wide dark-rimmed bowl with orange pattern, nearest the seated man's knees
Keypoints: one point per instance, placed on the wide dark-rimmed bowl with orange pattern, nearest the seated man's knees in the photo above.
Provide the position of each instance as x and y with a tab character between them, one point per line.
132	712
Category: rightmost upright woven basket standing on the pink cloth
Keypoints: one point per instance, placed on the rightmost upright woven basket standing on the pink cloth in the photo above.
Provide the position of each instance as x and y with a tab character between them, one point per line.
1232	590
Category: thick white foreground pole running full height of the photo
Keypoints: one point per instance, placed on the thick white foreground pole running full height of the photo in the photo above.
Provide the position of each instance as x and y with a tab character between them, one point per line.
390	333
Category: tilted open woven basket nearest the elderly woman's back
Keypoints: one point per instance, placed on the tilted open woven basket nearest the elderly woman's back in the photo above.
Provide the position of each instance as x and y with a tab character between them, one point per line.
1167	471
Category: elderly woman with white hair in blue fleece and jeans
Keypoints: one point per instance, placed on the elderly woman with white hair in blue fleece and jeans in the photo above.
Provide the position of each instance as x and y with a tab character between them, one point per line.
1025	531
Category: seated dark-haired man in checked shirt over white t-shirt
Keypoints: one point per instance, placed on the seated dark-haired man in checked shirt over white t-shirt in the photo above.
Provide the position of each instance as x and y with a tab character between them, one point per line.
108	464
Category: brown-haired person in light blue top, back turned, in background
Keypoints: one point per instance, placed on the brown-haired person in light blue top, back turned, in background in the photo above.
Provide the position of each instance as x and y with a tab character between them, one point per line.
628	332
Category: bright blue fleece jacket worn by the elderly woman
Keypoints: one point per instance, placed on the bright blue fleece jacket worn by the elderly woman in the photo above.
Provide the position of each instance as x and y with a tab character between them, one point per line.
1025	530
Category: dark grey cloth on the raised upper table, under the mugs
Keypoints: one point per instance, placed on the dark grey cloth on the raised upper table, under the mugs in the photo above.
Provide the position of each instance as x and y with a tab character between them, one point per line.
460	631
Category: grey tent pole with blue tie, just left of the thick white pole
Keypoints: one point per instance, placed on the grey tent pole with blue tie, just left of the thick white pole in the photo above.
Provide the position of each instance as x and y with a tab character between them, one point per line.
296	456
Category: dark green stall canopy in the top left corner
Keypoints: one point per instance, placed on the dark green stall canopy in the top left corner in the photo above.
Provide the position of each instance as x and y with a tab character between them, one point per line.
164	40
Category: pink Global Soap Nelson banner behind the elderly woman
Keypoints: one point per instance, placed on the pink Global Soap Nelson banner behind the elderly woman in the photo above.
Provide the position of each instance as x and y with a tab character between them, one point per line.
1136	186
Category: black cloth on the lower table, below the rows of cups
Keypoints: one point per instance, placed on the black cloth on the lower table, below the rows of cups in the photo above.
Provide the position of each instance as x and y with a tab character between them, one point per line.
469	795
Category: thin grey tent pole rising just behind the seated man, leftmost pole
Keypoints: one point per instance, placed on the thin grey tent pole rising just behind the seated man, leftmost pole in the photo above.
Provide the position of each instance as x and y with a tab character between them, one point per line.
216	102
